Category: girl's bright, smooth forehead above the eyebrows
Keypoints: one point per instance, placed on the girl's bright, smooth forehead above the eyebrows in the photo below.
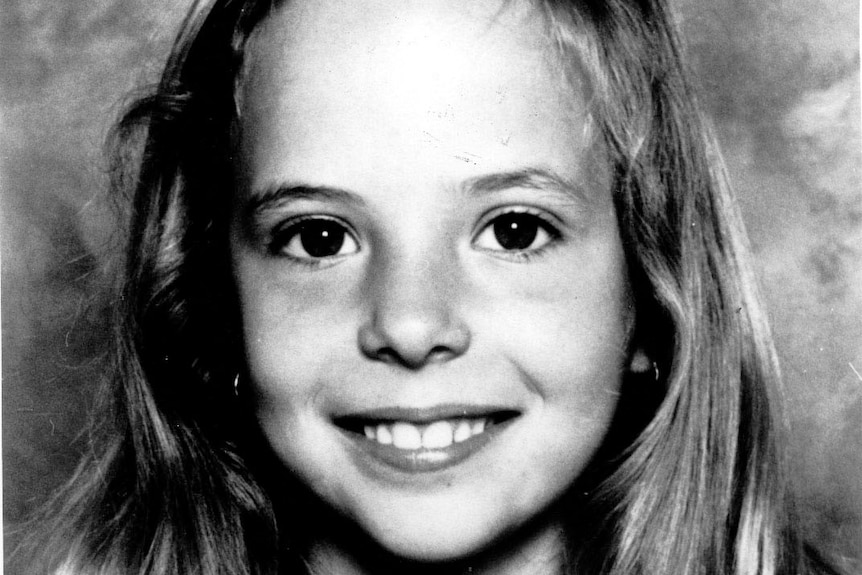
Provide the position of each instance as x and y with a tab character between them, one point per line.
346	75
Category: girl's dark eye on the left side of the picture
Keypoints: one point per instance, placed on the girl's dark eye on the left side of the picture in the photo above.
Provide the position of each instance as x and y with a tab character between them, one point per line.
314	238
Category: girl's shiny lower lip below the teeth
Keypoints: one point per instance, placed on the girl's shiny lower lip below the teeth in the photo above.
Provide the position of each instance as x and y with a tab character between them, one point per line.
427	460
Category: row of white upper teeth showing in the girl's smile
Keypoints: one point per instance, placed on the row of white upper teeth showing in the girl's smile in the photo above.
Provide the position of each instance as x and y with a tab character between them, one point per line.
436	435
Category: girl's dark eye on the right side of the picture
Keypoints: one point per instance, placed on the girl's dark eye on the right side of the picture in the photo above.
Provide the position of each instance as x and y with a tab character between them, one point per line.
516	231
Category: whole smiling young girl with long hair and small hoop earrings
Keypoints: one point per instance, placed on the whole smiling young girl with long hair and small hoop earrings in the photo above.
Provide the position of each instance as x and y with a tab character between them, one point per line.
431	287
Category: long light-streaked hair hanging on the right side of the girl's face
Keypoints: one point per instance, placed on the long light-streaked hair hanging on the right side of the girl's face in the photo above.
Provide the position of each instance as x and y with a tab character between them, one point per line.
701	488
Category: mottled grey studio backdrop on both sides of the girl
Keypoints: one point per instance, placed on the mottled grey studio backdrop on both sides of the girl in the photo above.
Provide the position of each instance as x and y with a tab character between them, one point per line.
780	78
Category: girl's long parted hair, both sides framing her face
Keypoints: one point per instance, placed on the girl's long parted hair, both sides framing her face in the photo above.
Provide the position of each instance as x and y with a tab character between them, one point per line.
690	479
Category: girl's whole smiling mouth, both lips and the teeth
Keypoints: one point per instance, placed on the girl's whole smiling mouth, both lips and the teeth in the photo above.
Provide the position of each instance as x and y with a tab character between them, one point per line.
424	440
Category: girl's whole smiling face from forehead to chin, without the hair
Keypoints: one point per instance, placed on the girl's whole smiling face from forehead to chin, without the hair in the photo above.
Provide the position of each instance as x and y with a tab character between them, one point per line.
434	296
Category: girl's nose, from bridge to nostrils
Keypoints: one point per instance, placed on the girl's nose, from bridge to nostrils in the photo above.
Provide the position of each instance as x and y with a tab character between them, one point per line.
412	319
